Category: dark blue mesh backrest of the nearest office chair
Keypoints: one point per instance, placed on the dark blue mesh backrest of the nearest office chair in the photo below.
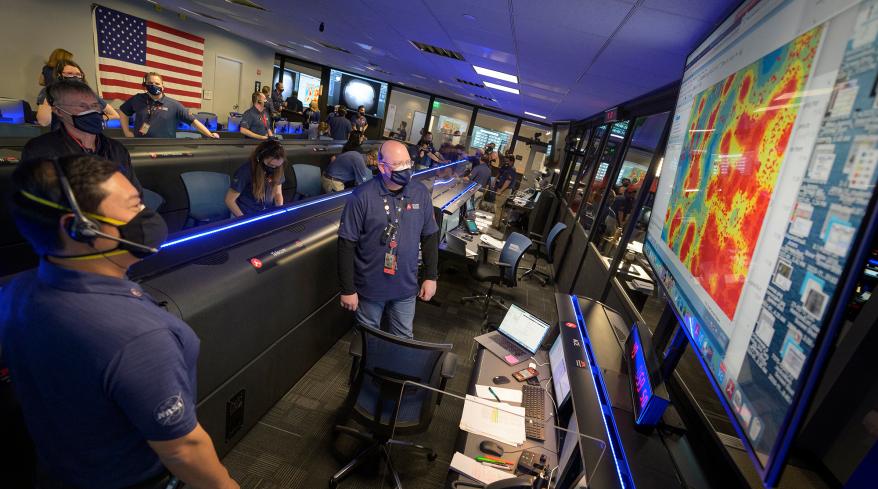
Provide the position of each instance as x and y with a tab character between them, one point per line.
389	361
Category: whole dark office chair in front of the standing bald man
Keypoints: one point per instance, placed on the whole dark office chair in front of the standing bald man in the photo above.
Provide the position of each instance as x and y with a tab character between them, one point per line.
382	364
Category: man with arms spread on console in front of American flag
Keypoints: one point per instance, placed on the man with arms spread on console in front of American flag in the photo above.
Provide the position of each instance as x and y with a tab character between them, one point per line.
156	114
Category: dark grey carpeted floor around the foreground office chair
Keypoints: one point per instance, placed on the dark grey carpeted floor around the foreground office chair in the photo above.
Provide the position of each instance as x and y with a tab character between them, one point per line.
291	445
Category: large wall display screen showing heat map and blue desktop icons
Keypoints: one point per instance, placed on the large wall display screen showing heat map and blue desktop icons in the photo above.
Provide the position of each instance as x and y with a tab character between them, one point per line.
767	175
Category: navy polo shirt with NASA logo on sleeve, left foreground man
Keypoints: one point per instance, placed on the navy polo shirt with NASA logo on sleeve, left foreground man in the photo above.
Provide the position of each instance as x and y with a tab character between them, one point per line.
99	368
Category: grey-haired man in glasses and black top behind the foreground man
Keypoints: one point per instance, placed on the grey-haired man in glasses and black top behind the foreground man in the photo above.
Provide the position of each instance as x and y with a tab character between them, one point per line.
78	109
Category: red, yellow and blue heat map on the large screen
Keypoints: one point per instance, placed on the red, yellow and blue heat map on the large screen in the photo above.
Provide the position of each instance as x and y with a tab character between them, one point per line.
738	133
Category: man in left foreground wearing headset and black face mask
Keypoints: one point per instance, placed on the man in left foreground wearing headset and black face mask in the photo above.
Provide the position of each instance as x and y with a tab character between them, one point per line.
105	377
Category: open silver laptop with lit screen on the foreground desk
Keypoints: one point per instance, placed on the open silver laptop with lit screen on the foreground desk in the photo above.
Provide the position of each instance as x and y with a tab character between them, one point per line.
518	337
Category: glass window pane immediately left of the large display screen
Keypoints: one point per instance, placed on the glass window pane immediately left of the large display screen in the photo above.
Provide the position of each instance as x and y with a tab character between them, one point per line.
636	276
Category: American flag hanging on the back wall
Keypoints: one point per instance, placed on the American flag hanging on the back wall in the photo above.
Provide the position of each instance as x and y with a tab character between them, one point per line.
128	47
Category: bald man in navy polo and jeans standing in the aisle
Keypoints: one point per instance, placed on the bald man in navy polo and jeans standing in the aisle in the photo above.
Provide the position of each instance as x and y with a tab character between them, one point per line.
382	226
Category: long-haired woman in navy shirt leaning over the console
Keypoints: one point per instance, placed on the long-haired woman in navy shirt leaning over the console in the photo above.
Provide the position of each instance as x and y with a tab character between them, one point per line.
256	186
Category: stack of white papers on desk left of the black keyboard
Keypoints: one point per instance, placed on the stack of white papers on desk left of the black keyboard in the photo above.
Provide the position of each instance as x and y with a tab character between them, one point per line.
497	420
